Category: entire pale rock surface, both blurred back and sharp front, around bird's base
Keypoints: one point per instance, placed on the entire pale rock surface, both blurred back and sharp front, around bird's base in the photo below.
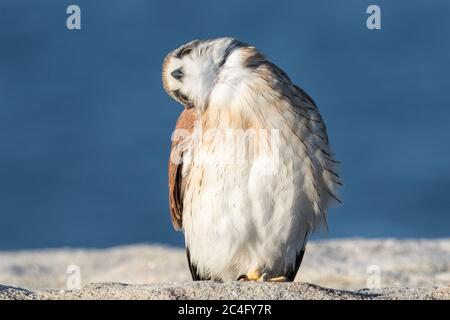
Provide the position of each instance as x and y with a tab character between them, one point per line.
405	269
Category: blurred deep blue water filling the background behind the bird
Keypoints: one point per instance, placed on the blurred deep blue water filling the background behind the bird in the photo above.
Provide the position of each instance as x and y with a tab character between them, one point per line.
85	124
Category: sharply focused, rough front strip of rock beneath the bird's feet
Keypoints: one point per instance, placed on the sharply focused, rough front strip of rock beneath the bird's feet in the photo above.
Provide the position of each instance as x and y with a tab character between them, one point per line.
227	291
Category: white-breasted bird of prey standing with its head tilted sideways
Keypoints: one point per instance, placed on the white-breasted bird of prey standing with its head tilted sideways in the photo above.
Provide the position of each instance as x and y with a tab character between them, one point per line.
251	172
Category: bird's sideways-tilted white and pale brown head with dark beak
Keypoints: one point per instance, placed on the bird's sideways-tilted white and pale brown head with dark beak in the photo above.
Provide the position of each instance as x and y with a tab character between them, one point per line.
191	72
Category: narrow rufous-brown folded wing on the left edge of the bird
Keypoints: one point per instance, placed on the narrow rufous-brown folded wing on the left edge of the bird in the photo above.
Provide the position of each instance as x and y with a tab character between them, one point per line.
177	166
